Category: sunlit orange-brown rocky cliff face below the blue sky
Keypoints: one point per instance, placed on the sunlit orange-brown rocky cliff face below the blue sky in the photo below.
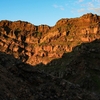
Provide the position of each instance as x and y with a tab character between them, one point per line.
41	44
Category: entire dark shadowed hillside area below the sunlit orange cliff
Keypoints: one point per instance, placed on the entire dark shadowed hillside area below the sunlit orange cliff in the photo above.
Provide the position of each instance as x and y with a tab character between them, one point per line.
80	79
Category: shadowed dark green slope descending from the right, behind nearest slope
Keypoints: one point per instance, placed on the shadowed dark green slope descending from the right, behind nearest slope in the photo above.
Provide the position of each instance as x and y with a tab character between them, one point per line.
81	66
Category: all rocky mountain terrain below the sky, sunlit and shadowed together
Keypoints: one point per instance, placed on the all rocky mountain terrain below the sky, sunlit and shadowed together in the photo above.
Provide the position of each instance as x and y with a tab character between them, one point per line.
50	63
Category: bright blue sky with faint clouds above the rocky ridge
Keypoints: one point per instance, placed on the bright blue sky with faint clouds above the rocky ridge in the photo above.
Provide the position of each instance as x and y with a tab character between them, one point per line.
47	12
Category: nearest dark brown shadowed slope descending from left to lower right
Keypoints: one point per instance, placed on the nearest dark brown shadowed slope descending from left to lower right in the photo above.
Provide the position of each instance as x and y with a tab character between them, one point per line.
20	81
